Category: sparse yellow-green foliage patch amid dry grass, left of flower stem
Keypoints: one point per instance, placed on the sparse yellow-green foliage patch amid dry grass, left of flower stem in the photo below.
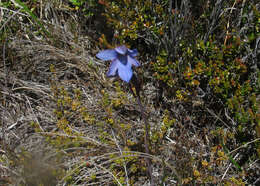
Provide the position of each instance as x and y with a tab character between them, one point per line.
69	112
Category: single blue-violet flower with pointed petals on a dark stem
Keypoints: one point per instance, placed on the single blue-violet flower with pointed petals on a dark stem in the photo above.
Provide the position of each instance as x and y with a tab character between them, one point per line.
122	60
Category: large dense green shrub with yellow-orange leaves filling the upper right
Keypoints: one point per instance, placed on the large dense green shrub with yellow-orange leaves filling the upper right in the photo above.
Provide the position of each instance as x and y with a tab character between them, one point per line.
198	56
